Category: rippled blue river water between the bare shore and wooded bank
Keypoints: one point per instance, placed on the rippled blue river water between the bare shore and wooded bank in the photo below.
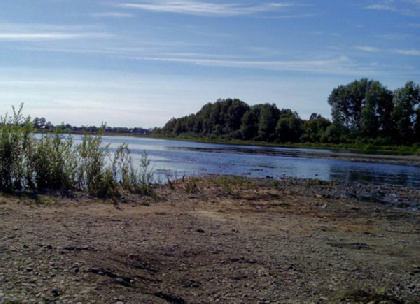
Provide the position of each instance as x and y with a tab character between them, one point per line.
175	159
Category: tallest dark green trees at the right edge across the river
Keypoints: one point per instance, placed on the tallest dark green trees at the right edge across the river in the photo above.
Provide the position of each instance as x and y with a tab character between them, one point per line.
365	111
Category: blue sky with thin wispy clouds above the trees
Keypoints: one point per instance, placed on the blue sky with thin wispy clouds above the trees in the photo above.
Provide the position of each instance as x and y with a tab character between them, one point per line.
138	63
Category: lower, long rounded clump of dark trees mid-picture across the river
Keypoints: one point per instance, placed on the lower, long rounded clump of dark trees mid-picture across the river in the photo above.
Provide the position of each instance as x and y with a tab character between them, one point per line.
232	119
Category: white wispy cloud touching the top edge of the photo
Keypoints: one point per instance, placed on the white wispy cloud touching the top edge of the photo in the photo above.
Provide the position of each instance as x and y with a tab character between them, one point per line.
205	8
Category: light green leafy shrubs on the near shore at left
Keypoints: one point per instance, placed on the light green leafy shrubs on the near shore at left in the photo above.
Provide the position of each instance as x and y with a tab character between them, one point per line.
55	162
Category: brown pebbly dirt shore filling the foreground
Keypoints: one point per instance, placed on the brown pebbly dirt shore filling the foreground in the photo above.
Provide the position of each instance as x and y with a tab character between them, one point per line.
215	240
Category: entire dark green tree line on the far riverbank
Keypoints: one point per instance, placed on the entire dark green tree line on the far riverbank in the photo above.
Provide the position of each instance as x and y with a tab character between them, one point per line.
363	111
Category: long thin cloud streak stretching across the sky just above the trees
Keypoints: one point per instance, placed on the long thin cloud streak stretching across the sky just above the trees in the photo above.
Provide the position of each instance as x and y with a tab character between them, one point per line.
340	65
